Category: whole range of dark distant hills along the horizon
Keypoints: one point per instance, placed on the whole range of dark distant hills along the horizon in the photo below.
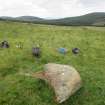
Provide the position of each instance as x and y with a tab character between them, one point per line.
92	19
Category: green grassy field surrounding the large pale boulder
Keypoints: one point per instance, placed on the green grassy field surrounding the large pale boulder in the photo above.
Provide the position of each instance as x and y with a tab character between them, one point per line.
16	89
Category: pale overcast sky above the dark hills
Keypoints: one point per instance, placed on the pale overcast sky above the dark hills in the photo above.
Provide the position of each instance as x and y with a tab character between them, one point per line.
50	8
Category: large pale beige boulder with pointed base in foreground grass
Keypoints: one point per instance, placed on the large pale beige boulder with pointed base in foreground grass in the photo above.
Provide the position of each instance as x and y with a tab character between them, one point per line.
64	79
